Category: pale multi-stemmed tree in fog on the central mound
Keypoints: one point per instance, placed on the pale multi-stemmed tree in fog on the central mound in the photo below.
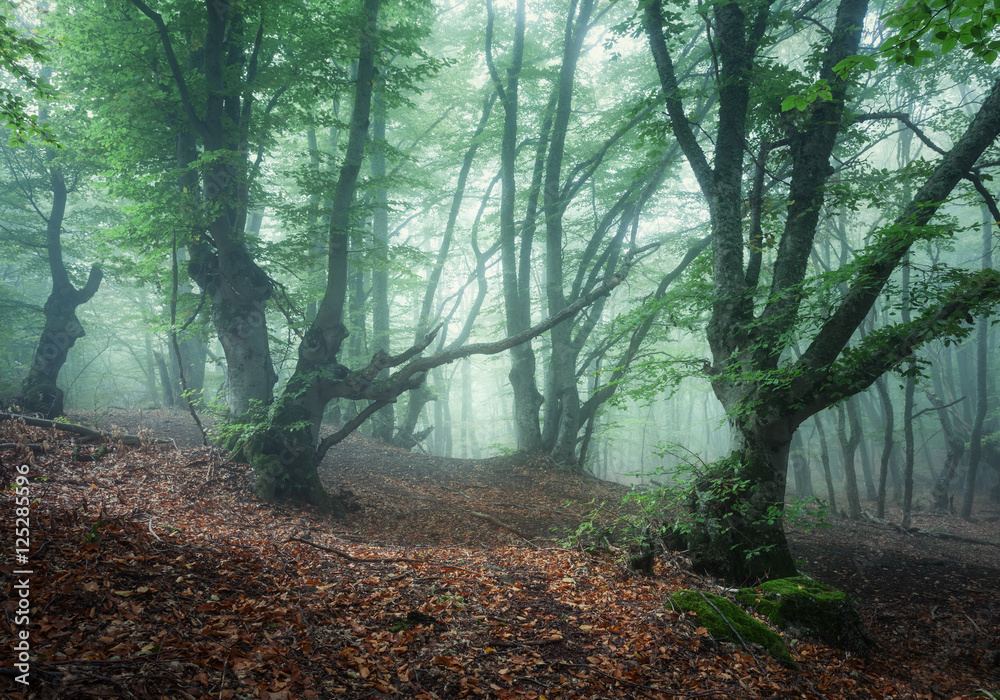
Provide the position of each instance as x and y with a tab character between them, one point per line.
590	185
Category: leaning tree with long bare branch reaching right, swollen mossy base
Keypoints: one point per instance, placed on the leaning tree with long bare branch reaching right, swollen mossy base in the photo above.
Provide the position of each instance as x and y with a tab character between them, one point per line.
287	451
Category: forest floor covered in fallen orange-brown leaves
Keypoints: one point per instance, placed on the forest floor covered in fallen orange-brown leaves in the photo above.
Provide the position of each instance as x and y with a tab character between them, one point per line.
156	573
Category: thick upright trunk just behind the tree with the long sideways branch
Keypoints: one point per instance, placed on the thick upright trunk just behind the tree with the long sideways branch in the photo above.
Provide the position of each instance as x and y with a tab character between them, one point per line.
218	96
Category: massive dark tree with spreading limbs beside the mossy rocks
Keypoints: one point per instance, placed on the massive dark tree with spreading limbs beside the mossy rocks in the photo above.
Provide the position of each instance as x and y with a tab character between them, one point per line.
766	394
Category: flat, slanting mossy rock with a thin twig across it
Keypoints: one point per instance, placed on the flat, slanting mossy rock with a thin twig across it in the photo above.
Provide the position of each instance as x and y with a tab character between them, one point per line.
750	630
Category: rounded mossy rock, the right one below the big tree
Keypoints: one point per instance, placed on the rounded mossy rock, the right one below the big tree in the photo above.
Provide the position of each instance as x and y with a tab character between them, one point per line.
809	608
